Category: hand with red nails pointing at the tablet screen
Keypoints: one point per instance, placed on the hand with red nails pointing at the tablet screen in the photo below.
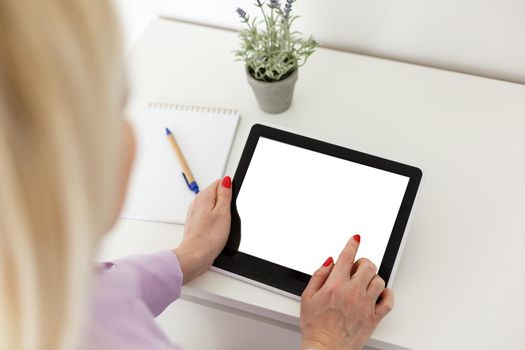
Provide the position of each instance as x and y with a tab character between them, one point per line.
340	307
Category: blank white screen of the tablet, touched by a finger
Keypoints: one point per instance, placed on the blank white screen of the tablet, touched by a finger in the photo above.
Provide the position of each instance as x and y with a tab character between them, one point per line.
298	207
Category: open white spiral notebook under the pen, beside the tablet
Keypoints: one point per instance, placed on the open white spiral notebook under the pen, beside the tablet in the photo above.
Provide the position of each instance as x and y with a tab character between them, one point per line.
157	191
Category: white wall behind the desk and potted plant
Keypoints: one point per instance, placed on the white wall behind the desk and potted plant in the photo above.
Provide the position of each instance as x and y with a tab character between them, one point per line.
485	37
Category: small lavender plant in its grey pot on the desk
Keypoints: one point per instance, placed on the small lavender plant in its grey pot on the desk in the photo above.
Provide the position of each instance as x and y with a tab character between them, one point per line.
273	53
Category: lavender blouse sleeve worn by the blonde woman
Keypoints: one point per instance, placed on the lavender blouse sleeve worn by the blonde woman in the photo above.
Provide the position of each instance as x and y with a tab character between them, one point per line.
128	295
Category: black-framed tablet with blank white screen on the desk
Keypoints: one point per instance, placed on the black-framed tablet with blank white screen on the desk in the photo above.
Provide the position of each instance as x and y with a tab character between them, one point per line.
296	202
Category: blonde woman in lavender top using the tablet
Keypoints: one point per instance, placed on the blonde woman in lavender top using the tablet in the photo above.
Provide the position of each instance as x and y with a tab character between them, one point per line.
65	157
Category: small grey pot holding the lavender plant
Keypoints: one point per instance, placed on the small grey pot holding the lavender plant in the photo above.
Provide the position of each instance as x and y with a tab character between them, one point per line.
273	97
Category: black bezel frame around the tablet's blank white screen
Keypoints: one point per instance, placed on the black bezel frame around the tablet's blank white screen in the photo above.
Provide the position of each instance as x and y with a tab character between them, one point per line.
287	279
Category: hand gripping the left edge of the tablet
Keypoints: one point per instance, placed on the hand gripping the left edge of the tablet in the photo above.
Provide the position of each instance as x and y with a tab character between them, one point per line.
206	230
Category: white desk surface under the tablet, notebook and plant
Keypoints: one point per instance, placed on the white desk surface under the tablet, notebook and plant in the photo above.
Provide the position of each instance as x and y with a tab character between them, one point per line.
460	282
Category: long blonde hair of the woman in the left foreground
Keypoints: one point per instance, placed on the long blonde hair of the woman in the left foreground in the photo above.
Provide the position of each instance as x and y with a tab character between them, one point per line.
61	87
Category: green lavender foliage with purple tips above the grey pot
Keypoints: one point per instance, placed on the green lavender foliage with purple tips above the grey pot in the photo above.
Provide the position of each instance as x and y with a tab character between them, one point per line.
269	47
